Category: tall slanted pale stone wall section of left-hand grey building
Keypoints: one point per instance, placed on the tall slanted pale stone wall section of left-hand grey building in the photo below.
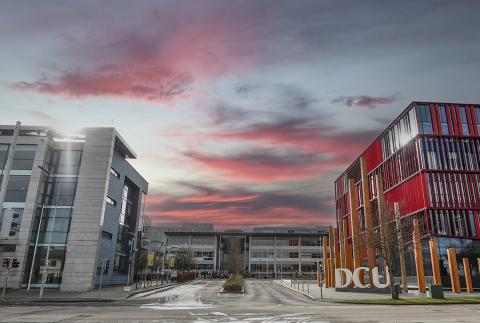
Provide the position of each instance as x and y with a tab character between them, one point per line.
85	228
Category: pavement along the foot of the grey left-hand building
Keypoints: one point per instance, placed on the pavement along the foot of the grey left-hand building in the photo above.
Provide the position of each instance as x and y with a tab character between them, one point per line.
107	294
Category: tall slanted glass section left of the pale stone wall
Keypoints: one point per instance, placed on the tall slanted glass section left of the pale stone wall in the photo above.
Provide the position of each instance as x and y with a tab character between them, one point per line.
54	205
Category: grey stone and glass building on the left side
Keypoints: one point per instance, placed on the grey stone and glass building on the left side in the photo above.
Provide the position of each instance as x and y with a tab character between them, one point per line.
69	202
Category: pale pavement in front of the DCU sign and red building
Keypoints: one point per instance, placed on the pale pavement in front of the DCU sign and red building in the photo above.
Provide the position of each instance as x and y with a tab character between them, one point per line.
329	294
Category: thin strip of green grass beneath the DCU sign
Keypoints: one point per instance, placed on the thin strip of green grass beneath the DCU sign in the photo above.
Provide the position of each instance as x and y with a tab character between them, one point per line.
417	300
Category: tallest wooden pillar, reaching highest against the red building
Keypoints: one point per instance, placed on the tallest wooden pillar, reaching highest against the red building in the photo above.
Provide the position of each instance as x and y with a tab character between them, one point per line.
367	208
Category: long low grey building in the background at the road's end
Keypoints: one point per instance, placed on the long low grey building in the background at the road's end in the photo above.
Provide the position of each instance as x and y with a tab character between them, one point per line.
267	252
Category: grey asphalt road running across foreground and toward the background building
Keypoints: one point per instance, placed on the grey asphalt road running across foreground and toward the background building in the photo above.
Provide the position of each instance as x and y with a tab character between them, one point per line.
264	301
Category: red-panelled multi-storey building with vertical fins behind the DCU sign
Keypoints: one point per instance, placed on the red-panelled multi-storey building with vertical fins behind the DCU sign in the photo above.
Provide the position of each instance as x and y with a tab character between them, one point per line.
429	162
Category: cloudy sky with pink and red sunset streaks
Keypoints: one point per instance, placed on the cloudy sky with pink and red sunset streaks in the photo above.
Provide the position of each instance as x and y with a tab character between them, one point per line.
242	113
